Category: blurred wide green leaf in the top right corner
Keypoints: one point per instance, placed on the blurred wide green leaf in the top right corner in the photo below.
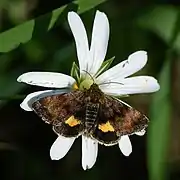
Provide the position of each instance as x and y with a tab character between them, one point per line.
161	20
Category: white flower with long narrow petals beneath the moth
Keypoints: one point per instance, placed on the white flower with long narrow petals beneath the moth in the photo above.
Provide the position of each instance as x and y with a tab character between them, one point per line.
114	81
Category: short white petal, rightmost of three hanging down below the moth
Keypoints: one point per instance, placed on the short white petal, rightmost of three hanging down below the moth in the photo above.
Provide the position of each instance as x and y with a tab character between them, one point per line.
125	145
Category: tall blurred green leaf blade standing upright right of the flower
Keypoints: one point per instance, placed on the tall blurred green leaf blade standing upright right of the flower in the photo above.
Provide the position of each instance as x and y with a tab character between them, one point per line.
159	128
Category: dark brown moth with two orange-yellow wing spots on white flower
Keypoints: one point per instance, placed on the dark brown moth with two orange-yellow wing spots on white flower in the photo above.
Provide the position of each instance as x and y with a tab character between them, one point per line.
90	112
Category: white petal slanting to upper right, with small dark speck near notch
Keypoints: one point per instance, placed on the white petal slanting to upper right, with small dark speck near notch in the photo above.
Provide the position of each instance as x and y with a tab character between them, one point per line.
135	62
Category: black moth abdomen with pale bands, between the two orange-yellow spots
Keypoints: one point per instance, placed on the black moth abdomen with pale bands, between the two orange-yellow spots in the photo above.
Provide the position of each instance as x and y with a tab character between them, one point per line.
91	114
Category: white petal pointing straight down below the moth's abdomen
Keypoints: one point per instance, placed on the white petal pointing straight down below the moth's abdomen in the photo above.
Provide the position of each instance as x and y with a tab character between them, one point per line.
89	152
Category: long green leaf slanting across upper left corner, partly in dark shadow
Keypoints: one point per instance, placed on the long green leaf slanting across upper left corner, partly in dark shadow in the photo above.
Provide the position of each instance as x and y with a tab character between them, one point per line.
38	27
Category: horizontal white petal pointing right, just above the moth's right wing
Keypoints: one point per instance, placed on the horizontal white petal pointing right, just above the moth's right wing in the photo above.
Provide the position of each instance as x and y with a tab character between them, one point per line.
132	85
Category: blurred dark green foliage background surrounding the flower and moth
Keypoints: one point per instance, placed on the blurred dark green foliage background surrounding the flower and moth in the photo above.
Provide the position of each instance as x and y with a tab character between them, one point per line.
34	35
